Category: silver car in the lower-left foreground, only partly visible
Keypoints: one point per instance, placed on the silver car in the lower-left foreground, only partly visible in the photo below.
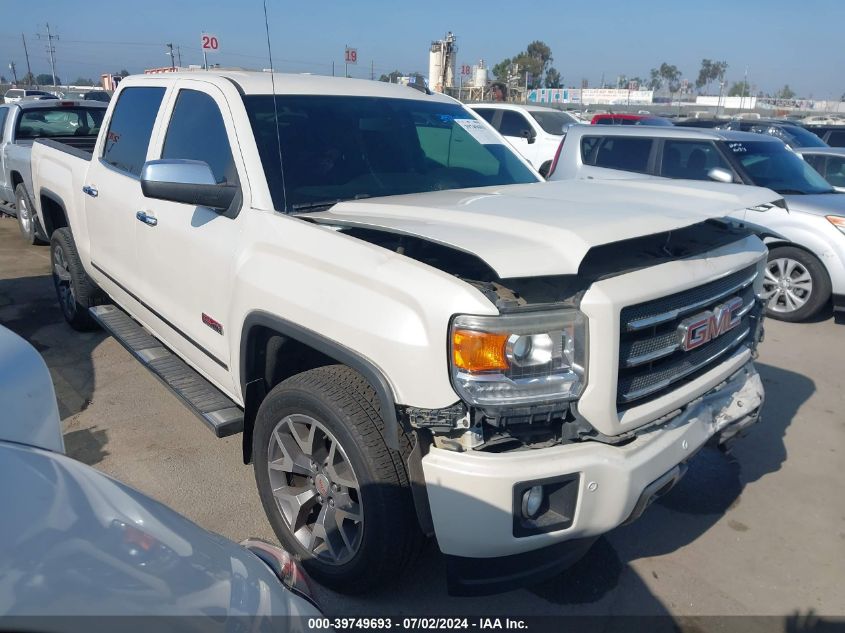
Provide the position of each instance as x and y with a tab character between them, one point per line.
74	542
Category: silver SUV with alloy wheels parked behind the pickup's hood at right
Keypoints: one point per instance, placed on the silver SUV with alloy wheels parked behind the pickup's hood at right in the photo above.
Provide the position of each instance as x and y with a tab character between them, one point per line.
805	236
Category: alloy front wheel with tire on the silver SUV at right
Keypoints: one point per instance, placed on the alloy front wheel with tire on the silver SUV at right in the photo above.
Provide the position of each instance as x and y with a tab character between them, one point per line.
796	285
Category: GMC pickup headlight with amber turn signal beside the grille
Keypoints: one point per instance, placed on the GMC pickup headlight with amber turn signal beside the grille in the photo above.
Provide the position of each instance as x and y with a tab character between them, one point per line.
517	359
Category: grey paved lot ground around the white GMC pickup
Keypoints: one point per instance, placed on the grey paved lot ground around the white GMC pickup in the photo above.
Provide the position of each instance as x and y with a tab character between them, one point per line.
759	532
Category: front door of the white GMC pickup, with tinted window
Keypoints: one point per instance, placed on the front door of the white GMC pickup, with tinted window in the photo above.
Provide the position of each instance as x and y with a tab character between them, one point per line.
187	252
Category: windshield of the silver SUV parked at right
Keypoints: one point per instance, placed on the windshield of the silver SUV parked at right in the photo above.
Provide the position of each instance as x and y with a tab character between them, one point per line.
771	164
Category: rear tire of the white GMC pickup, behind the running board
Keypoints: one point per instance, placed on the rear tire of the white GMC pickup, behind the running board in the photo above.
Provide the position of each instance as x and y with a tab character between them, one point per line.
74	289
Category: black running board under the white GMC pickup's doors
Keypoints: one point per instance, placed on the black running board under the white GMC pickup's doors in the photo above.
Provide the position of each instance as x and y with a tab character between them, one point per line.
215	409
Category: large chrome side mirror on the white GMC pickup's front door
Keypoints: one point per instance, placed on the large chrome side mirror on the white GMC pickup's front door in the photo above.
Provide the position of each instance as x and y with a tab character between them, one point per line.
186	181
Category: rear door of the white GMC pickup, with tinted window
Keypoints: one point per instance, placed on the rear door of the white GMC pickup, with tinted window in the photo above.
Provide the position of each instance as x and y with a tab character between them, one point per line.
113	189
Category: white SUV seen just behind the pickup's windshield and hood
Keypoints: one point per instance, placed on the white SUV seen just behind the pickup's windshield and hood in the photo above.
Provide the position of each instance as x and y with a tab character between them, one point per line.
534	131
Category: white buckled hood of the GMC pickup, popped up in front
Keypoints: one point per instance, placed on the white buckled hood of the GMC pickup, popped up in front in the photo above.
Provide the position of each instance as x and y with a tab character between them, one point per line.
546	228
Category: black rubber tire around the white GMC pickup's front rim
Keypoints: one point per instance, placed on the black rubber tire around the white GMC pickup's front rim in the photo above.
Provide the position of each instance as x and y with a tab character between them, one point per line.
341	400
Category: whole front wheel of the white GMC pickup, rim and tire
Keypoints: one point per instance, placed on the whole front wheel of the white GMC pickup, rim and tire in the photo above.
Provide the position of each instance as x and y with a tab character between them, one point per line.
333	491
